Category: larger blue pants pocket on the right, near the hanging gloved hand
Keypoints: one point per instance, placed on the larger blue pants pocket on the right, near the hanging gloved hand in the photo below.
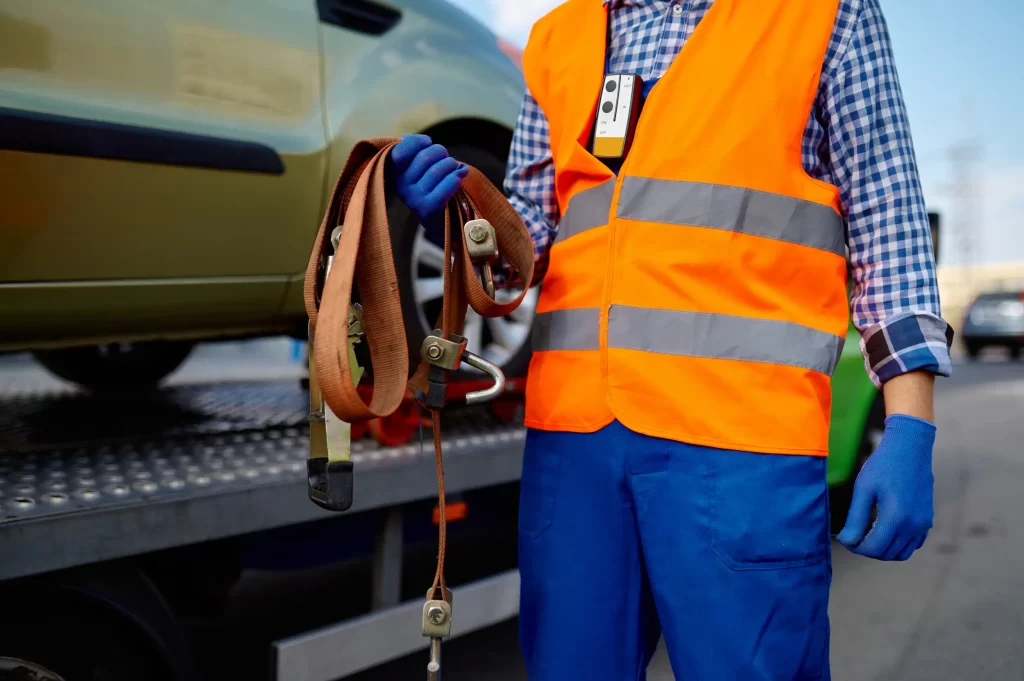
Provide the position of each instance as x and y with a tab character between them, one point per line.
769	512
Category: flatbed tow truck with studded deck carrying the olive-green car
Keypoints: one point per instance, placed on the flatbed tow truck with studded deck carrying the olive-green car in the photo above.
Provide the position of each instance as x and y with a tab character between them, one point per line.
131	526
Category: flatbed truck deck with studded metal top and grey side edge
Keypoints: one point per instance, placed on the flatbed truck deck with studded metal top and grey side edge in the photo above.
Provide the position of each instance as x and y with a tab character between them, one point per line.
89	479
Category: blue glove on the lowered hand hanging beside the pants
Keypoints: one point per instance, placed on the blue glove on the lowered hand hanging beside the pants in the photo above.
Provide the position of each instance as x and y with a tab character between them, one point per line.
898	479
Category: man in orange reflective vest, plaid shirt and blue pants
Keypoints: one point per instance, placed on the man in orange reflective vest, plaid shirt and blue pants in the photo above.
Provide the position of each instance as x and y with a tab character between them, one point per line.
694	308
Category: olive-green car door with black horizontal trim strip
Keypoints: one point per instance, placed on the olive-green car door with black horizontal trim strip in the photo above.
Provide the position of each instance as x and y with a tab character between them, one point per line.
174	144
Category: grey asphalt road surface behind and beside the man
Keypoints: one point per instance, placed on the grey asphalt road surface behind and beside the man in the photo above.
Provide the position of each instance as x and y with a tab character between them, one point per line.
954	613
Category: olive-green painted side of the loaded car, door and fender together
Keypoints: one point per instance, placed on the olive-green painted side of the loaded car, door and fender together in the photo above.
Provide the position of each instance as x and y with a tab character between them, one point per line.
79	234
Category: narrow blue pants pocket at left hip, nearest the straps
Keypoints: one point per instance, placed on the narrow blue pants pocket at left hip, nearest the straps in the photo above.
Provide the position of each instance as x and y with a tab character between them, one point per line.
539	484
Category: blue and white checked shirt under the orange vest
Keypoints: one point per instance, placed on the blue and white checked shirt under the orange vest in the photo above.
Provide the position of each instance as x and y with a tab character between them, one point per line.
858	139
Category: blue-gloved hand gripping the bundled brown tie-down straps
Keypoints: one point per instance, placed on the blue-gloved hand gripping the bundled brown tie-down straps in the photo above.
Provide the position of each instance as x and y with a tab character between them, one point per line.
425	178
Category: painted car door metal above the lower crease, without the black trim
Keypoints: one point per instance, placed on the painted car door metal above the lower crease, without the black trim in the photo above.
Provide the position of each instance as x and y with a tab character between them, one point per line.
244	70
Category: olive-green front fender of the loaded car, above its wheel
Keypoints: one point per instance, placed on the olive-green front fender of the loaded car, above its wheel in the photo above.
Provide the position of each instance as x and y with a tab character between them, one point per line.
437	66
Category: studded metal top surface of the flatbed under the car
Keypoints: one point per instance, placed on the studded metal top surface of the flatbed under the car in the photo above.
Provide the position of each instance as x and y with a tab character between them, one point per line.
73	453
